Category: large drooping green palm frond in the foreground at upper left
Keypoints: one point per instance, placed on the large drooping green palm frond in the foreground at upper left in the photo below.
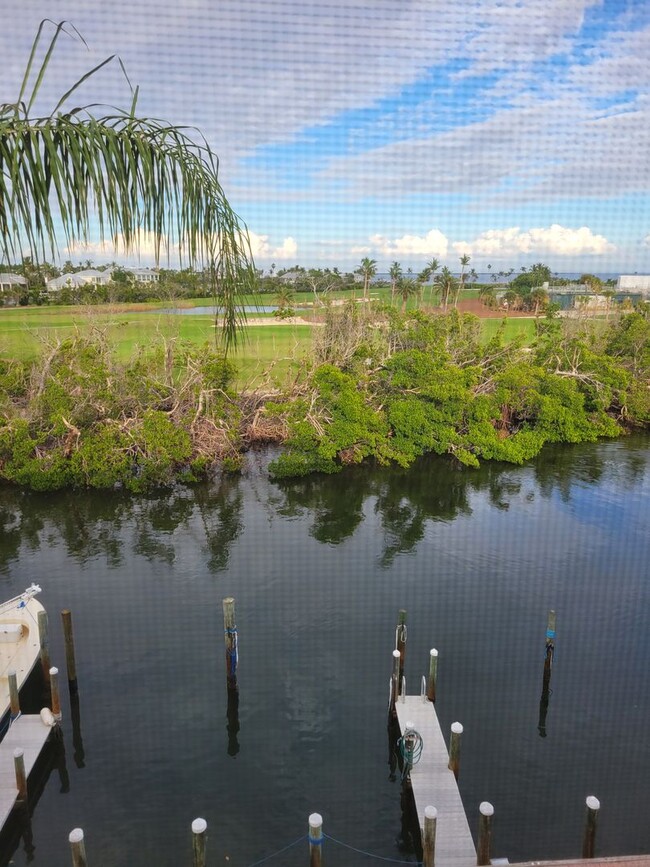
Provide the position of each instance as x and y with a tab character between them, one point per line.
132	177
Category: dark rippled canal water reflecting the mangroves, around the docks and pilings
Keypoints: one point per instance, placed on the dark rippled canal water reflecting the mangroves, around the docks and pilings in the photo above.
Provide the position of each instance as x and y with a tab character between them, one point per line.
319	569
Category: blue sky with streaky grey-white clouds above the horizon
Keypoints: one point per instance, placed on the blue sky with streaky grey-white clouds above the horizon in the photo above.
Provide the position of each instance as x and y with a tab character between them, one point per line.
513	131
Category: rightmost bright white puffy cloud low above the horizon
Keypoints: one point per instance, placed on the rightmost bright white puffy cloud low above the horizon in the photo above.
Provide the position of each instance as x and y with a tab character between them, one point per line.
552	240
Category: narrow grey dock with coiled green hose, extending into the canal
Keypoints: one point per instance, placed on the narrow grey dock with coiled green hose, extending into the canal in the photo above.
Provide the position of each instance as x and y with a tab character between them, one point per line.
435	785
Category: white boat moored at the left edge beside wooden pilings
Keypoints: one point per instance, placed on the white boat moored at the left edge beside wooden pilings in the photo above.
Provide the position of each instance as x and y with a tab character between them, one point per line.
19	640
